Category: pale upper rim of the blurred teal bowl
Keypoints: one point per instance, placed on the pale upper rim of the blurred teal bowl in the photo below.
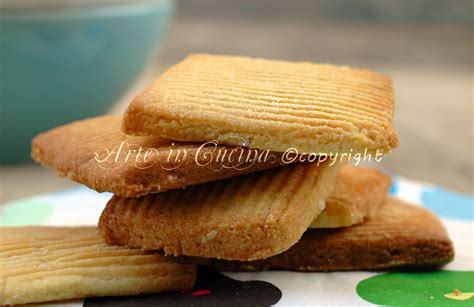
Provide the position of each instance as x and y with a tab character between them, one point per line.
130	8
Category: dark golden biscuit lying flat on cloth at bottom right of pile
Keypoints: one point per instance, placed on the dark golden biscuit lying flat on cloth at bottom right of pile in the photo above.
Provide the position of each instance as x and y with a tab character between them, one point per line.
400	236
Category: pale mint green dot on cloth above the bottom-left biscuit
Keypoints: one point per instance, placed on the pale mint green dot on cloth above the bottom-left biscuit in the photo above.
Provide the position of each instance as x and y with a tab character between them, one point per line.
25	212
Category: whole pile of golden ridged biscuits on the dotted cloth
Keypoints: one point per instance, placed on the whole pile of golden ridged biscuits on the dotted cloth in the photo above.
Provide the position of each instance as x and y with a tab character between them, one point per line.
230	162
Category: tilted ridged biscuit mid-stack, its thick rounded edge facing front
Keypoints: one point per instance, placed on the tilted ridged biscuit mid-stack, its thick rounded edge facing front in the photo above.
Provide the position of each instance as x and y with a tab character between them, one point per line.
243	218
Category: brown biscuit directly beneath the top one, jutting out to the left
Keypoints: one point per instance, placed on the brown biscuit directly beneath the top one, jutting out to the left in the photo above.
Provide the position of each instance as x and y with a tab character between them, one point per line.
90	152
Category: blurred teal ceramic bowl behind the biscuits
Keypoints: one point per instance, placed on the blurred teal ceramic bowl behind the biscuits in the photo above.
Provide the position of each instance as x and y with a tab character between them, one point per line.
63	64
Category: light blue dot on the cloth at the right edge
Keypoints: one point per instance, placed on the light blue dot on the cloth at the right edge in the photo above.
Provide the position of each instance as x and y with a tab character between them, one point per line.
448	204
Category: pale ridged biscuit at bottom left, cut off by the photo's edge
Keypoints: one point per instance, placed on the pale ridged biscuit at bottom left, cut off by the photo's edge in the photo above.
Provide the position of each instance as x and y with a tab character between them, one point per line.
40	264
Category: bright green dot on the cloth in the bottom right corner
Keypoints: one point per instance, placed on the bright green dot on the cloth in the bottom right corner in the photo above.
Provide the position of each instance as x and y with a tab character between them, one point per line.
417	288
